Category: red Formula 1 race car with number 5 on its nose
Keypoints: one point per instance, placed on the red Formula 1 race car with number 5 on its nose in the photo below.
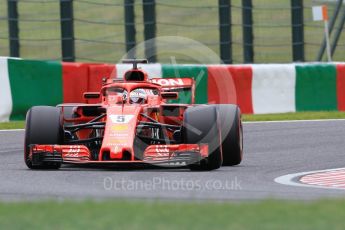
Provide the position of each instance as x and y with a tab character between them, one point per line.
135	122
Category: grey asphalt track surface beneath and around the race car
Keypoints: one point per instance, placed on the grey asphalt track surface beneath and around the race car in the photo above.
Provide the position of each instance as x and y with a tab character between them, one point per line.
271	150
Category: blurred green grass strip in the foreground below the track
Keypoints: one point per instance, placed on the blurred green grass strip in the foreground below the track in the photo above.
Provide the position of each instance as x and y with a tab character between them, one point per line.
141	215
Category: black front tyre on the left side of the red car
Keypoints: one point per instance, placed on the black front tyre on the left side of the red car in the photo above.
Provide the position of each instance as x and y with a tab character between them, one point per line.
43	126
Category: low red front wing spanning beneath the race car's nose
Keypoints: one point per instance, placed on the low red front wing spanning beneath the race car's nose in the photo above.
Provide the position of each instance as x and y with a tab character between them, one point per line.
154	154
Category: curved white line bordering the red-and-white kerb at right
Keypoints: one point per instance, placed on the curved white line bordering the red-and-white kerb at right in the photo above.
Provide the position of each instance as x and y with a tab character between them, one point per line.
289	179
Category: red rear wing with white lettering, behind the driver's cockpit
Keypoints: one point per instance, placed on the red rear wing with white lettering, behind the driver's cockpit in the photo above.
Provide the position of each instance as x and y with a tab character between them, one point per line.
186	85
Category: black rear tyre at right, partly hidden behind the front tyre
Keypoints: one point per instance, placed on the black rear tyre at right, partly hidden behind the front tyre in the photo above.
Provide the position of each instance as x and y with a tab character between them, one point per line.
231	133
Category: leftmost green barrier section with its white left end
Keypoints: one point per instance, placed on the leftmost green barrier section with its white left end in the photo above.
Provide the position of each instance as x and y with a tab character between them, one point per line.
28	83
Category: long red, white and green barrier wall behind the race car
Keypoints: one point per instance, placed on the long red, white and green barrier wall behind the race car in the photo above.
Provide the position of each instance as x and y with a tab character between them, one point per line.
257	89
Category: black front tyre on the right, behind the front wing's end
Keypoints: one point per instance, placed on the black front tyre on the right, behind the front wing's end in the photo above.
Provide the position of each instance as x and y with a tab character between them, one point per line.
200	125
